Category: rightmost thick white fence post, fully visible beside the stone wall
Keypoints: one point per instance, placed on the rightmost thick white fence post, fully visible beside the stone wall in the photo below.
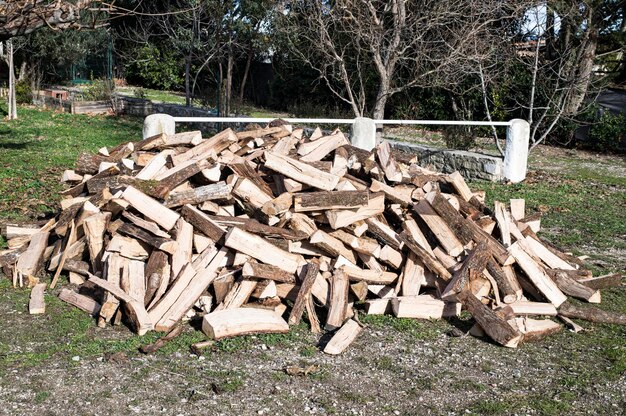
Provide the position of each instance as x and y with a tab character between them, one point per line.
516	151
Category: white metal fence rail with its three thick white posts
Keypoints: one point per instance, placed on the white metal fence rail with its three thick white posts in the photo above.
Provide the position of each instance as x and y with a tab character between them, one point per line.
364	133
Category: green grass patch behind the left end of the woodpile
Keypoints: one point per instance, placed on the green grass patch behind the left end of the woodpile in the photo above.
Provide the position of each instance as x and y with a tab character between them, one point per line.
36	148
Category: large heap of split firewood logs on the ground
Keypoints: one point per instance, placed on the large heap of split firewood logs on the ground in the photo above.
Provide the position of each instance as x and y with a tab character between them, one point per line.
252	231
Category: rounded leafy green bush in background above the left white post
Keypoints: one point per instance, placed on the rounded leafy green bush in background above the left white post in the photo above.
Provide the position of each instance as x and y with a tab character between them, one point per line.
155	68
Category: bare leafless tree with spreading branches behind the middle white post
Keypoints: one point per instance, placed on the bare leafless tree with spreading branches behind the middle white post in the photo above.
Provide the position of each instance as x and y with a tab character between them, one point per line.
390	46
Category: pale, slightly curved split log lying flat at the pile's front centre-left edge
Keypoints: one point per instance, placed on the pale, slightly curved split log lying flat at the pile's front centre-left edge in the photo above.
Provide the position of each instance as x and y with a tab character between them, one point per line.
242	321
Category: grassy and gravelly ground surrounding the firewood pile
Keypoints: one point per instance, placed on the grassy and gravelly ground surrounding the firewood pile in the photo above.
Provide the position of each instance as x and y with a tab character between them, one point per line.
63	363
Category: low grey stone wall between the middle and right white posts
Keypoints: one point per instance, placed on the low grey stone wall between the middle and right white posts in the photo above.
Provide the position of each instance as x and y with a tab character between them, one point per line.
471	165
